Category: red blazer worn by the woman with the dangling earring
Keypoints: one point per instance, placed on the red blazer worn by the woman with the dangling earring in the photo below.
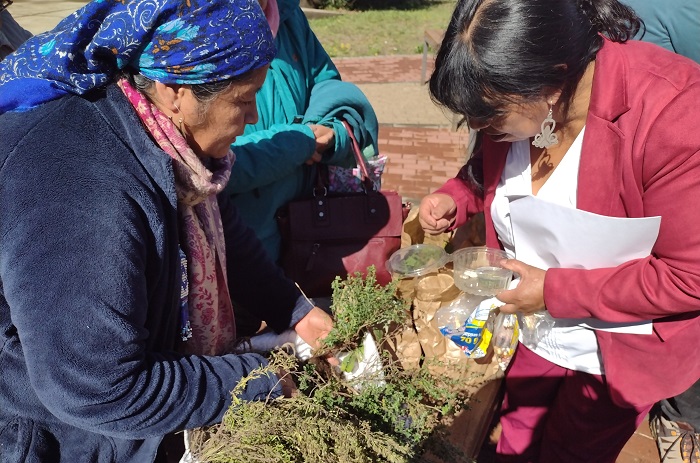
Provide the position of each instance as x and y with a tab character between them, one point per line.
640	157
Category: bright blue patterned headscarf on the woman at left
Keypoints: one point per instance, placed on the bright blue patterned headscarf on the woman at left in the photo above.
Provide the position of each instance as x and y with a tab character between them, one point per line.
170	41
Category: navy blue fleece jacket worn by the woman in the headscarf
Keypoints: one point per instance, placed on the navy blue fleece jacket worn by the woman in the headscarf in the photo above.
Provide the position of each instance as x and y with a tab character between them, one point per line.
89	288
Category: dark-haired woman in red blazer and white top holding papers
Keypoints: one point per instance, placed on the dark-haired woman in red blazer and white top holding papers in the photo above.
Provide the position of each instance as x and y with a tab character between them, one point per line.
576	119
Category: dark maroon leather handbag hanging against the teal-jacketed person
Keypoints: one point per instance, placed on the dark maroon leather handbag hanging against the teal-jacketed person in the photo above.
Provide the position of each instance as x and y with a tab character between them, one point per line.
338	234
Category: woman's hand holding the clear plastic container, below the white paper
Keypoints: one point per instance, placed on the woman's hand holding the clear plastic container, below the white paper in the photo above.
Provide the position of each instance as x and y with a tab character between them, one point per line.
528	297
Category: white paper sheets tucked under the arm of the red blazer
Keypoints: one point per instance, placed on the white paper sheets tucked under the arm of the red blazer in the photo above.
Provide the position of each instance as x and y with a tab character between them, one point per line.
548	235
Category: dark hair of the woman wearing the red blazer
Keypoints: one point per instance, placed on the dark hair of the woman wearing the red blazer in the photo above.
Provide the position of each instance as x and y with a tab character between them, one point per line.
497	52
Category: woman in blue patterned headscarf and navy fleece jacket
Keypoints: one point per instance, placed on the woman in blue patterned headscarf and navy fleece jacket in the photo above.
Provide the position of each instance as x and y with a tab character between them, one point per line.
117	269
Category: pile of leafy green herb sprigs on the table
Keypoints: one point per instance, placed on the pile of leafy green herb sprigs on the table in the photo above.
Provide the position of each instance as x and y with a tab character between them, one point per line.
335	420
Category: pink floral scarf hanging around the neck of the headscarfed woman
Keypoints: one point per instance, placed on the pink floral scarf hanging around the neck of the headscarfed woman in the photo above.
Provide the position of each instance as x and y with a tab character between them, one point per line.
202	235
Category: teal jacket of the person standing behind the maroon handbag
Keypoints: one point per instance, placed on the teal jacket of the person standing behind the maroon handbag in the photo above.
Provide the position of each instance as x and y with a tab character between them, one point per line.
302	83
